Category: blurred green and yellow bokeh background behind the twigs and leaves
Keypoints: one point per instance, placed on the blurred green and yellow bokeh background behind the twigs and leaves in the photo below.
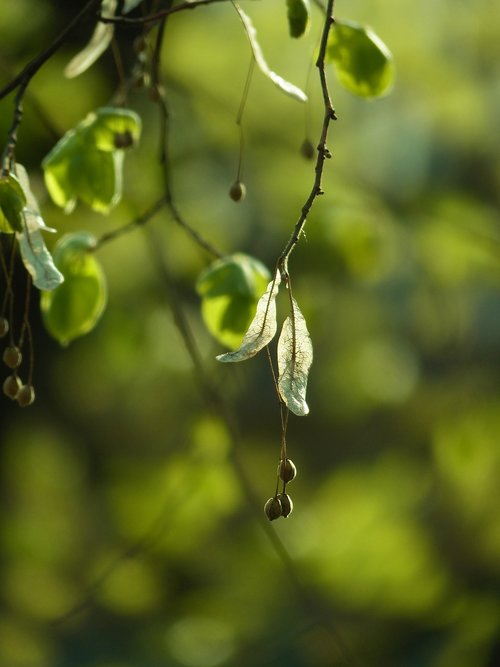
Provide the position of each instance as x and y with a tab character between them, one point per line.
132	529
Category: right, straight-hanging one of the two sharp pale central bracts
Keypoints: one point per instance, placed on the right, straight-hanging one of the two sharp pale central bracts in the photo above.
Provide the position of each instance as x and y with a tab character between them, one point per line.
295	355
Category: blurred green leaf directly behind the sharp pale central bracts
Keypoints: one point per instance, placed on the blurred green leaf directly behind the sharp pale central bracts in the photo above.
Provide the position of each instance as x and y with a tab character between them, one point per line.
230	289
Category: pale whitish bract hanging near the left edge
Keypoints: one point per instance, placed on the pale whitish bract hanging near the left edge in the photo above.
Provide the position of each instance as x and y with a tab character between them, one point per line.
36	258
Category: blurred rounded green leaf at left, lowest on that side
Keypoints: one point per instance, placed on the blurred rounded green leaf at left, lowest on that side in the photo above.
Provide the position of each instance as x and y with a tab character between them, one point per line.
74	307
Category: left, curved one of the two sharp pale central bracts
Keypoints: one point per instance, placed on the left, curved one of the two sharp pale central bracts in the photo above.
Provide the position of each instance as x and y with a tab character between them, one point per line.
262	328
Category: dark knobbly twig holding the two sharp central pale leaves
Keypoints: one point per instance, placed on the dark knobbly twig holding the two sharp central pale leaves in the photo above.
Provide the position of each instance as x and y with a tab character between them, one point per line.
323	152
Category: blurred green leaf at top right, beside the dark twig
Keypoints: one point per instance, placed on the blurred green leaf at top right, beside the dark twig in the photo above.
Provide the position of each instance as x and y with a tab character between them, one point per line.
363	62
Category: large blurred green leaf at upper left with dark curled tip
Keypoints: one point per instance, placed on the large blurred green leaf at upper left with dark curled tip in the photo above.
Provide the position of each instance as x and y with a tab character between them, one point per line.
87	164
